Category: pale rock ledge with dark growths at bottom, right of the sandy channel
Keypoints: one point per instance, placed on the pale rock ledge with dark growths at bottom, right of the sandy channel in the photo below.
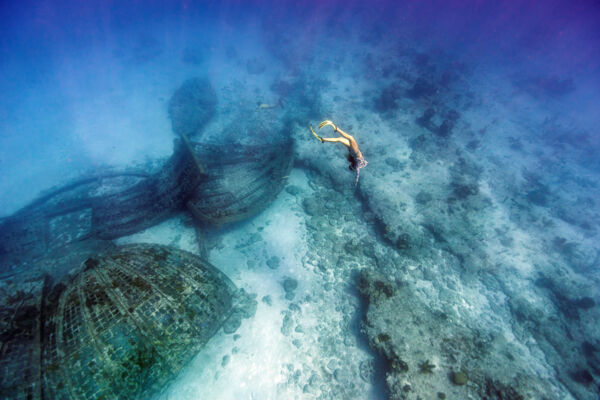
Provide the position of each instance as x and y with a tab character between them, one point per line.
429	351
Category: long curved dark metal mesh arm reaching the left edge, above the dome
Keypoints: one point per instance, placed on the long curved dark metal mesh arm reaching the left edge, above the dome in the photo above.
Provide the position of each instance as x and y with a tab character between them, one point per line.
103	206
